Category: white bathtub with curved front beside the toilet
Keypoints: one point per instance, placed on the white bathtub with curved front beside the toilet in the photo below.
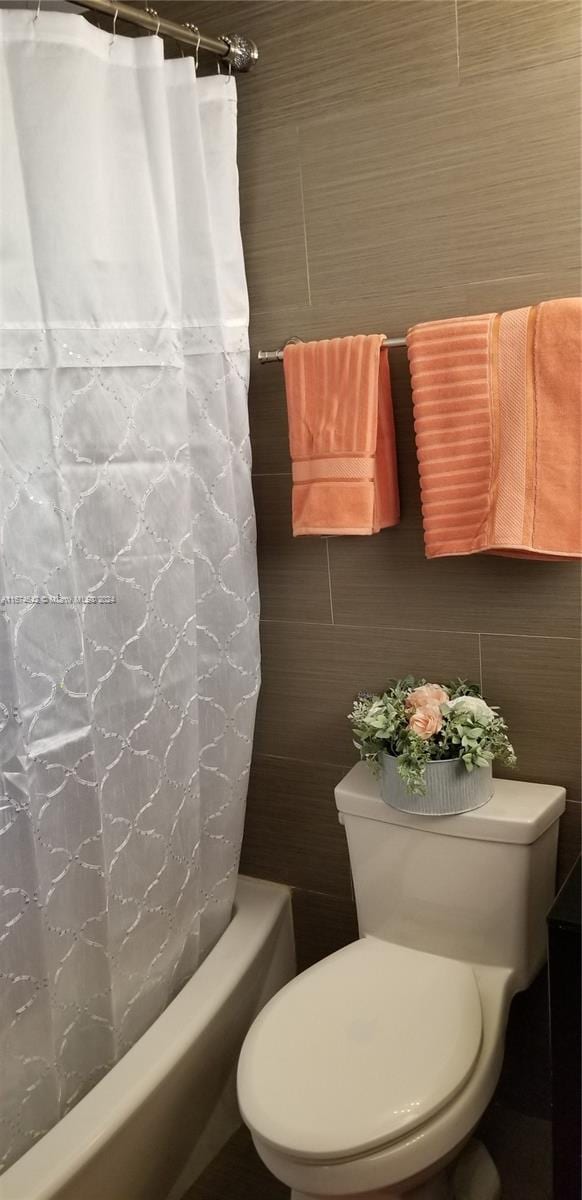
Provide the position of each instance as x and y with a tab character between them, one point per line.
153	1124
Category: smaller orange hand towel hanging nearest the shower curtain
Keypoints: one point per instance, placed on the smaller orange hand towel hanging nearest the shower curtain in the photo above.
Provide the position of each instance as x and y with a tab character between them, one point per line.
341	436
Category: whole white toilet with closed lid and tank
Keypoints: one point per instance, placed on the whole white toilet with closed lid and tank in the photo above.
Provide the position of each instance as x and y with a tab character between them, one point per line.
367	1076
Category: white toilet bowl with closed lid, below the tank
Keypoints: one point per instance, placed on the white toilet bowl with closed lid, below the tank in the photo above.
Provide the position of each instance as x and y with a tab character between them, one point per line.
368	1073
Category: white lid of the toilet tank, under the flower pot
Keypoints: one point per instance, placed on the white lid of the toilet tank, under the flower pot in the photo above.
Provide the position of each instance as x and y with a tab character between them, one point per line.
518	813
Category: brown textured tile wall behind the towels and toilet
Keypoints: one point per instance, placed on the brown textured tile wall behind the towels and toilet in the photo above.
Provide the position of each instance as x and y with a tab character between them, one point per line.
400	160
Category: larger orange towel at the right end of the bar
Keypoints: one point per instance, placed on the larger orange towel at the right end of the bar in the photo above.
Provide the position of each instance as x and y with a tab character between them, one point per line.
497	416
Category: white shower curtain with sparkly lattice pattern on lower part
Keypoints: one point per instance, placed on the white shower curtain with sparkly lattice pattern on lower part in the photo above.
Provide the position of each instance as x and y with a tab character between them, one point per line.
129	647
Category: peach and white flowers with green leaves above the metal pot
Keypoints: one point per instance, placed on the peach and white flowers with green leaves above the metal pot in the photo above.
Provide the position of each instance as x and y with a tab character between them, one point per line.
421	723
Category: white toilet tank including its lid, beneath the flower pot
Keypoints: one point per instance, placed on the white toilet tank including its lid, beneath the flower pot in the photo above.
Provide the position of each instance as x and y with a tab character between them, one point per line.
475	887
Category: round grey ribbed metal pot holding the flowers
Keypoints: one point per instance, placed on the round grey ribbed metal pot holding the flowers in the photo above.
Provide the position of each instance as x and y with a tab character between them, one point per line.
451	788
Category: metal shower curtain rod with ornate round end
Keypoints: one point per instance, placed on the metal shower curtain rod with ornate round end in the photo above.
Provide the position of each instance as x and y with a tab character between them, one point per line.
238	51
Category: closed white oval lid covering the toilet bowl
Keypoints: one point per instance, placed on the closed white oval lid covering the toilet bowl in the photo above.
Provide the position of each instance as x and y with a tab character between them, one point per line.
359	1051
